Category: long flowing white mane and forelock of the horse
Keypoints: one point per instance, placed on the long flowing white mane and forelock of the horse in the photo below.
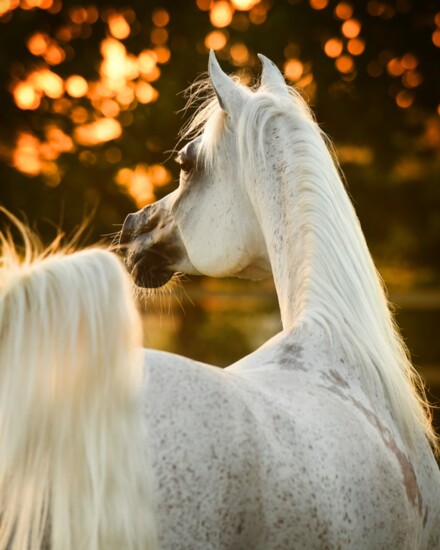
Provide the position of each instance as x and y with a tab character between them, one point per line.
338	284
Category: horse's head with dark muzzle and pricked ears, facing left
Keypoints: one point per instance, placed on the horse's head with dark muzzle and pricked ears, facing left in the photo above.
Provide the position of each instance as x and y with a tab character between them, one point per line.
208	225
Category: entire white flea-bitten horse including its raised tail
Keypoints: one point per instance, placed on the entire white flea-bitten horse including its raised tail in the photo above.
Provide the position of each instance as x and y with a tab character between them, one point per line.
317	440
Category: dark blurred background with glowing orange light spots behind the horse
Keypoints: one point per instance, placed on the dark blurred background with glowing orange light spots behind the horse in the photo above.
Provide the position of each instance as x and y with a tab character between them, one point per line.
91	106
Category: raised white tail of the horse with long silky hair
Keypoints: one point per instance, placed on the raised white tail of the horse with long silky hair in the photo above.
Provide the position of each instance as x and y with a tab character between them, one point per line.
73	465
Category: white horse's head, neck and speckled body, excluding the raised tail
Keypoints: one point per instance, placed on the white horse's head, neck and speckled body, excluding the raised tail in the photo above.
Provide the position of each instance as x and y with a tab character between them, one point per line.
321	438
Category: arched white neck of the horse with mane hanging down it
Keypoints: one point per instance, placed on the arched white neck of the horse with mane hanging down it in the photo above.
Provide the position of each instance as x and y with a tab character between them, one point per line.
323	271
